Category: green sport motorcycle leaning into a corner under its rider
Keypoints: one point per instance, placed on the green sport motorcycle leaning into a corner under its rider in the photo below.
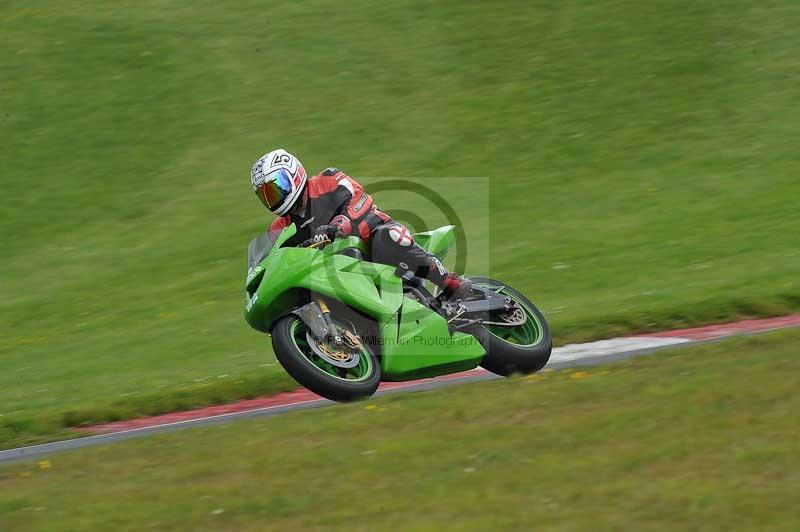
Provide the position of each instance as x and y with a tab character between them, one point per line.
341	324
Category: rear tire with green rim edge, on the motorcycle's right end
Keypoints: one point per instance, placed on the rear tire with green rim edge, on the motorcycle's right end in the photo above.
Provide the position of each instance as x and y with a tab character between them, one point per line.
522	349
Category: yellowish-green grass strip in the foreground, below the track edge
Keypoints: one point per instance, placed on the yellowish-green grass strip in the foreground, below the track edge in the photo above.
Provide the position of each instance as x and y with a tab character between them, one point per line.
701	438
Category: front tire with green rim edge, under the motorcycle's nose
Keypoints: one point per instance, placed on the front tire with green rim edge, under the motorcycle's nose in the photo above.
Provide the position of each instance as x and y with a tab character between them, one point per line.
318	375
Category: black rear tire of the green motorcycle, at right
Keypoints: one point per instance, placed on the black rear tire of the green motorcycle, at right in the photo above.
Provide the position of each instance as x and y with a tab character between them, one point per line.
505	358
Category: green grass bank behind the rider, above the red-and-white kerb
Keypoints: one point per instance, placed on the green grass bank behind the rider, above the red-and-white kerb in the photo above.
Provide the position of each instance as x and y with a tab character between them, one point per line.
642	156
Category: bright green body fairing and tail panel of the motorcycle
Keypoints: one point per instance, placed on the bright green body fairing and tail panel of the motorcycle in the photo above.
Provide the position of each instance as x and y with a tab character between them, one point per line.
414	341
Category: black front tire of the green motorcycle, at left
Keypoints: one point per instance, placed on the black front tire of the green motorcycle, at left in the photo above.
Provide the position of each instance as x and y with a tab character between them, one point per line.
314	378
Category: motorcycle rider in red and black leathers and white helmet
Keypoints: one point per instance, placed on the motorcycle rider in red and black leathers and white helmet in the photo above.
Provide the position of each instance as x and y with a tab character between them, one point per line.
334	205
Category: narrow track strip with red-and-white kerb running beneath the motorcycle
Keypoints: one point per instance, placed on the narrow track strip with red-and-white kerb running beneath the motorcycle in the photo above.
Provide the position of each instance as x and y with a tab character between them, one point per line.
591	353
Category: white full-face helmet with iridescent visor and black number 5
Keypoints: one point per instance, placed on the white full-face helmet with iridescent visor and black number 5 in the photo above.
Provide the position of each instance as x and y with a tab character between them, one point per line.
278	180
